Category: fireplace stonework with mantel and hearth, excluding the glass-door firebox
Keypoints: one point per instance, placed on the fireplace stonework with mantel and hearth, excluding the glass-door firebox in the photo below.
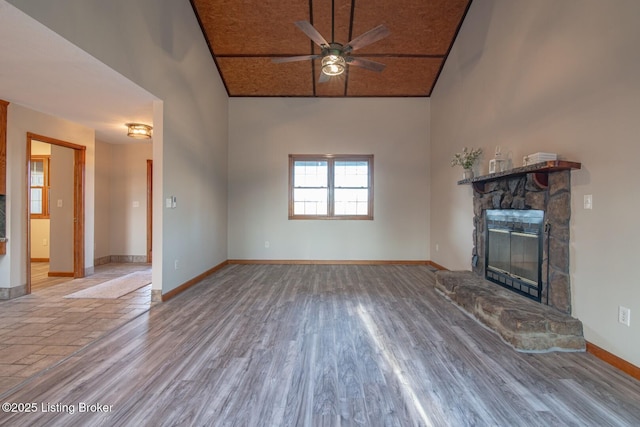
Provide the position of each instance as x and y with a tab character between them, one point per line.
525	324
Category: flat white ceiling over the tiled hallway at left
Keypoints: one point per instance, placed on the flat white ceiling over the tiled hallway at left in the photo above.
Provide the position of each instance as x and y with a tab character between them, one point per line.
43	71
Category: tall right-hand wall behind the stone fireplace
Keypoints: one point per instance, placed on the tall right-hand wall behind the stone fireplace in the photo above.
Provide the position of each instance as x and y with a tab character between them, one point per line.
562	77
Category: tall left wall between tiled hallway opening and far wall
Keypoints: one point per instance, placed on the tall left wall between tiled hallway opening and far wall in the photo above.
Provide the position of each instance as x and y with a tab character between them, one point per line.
158	45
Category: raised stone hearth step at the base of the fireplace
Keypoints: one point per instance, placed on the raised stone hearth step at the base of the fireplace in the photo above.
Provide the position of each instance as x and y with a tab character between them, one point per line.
523	323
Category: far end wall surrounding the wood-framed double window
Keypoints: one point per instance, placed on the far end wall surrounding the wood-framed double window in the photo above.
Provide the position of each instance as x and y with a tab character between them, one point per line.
264	131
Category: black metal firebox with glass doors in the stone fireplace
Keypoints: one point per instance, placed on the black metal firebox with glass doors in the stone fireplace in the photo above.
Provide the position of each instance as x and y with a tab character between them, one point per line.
513	256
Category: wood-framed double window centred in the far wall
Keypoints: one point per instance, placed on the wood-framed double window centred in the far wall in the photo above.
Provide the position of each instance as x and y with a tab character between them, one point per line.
330	187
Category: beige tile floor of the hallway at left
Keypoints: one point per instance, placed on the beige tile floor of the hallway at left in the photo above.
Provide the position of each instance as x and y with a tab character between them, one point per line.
38	331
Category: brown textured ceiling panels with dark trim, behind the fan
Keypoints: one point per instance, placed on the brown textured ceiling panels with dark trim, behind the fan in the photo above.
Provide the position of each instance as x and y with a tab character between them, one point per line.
245	36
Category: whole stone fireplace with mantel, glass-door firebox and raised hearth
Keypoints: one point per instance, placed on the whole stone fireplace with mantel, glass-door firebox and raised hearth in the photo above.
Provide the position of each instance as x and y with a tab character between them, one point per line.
526	212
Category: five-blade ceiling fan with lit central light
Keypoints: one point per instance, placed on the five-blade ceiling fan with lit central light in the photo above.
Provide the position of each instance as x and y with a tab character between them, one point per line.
335	56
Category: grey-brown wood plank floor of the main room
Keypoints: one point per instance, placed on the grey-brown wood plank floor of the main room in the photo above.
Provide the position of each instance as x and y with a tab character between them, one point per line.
314	345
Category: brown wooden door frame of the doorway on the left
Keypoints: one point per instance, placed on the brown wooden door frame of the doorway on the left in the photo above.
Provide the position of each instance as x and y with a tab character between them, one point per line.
78	203
